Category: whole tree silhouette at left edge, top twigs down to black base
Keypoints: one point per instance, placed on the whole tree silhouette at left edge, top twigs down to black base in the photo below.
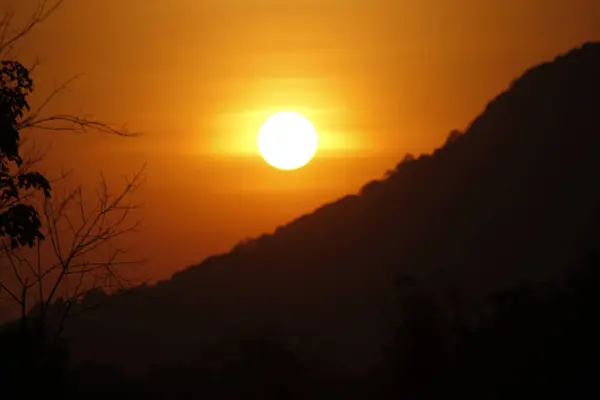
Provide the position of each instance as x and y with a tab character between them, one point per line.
32	350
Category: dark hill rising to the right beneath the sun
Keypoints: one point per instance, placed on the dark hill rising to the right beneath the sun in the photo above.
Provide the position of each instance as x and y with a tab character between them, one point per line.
513	197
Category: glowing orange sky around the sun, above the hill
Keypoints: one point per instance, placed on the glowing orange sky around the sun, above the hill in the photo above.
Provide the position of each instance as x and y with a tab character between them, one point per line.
378	78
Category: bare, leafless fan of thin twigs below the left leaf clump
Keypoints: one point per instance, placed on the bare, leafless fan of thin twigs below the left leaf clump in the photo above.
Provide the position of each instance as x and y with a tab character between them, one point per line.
81	243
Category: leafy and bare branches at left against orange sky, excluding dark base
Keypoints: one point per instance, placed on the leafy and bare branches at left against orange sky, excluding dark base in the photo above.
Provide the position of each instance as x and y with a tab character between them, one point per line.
20	185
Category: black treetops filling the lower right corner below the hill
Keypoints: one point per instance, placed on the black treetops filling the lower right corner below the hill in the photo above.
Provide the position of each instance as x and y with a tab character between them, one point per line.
539	341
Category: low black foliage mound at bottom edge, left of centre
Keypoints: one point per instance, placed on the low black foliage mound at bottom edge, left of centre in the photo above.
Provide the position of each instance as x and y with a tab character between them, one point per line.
253	367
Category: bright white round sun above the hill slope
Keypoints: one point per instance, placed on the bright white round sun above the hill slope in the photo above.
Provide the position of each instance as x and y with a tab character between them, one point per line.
287	140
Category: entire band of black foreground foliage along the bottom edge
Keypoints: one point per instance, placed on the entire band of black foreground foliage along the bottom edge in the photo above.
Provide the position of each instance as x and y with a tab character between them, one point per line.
537	340
